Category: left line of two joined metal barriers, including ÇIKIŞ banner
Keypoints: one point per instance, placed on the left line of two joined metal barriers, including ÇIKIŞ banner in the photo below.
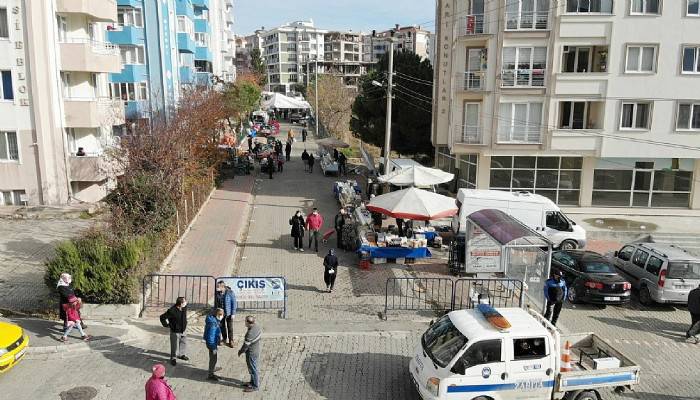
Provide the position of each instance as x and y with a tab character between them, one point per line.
252	293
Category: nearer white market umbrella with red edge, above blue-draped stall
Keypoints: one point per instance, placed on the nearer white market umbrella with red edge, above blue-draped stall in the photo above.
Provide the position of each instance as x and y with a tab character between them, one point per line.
414	204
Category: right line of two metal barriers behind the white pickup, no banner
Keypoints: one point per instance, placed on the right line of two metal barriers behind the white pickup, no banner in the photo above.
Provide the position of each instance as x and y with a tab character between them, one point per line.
447	294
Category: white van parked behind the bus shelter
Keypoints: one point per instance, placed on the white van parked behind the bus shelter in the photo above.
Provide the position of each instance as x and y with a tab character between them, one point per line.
533	210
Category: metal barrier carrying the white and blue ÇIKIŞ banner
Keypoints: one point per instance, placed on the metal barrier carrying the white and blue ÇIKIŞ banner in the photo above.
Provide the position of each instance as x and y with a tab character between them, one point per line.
273	289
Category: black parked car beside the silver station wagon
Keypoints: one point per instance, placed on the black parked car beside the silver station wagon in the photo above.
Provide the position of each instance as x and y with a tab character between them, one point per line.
591	278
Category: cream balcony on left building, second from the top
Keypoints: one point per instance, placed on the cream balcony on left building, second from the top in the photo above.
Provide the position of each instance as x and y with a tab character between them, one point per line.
85	55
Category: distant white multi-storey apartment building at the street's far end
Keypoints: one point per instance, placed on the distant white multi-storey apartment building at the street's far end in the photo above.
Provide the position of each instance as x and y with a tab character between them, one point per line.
287	50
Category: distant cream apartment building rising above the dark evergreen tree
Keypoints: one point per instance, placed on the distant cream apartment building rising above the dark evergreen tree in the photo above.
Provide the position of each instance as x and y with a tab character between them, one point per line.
413	39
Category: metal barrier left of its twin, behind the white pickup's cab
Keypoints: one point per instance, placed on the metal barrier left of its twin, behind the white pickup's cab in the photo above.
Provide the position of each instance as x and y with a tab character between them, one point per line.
415	294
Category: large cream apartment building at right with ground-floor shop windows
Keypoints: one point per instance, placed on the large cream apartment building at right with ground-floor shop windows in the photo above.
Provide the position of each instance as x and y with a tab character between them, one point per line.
590	103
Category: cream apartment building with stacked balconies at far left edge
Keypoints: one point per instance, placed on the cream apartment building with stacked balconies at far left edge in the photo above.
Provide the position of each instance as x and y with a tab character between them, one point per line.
56	118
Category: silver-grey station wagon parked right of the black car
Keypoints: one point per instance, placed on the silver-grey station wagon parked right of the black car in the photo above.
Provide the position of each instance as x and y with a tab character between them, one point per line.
663	273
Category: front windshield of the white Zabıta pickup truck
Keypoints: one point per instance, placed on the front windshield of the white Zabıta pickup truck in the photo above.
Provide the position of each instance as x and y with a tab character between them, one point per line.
442	341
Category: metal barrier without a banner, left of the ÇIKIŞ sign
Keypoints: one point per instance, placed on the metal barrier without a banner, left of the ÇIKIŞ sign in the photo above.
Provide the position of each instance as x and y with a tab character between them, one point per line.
163	290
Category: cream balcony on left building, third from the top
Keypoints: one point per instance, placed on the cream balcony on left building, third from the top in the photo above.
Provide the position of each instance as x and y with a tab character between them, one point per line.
92	112
